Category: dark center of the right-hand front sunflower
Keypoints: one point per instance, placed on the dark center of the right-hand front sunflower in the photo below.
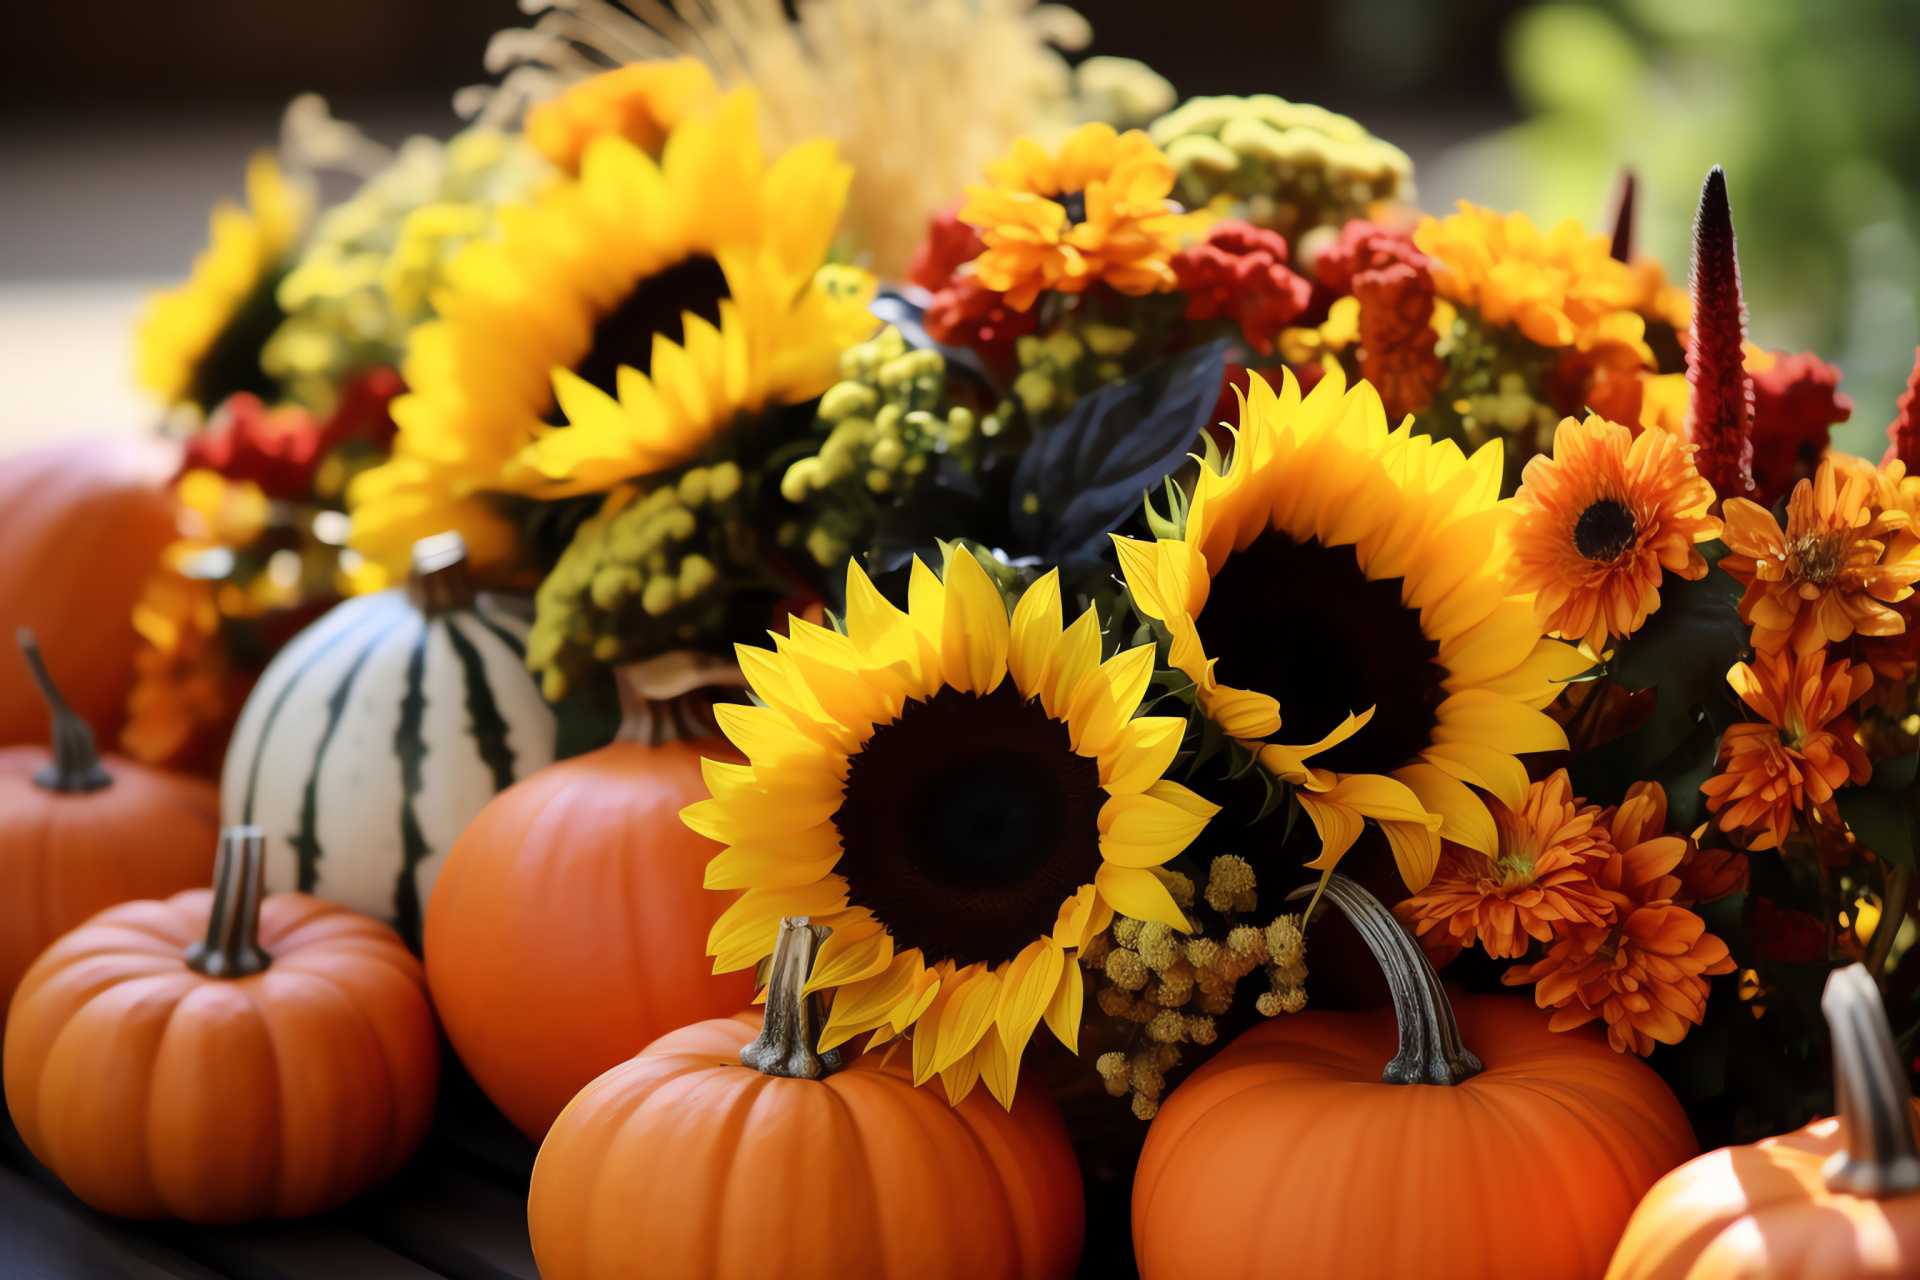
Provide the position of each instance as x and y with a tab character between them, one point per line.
1305	625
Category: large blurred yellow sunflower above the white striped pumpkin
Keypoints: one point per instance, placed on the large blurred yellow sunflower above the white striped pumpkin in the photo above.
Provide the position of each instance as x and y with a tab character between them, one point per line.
650	302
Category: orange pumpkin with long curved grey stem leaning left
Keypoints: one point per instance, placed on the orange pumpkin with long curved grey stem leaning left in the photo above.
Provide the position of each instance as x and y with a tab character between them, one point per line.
1295	1154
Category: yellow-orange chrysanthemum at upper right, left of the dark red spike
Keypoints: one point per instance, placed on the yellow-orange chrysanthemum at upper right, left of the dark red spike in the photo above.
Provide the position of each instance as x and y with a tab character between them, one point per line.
1562	289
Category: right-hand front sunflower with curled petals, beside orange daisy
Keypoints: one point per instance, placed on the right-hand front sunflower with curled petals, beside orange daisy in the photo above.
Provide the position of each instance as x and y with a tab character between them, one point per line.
1351	577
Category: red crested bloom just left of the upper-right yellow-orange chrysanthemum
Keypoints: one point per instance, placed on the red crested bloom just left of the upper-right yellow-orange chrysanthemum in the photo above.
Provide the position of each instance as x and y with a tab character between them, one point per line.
1395	287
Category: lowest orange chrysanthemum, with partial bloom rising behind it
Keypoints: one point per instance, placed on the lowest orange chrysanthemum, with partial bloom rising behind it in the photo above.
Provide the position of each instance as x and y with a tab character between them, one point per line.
1644	972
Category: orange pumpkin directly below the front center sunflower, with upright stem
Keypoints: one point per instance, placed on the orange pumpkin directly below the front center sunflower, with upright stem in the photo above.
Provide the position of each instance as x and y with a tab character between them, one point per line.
734	1158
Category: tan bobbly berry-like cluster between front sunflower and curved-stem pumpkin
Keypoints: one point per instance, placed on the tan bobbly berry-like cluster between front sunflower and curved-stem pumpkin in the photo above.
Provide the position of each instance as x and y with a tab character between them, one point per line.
1172	987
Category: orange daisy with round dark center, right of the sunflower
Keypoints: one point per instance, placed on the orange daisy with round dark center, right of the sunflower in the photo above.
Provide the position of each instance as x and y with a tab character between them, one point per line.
1595	525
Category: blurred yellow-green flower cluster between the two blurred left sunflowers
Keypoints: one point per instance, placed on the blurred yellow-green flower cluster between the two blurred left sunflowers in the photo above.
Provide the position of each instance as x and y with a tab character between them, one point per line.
373	262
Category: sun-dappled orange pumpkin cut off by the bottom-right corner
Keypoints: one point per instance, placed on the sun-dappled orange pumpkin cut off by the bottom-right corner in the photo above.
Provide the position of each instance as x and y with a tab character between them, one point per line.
1835	1200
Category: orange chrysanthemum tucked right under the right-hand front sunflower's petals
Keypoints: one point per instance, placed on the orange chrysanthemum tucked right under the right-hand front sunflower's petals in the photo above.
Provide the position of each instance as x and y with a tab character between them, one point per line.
1545	876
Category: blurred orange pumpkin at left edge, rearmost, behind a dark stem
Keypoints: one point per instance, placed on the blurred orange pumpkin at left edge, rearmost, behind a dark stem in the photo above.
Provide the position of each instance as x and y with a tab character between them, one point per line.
84	525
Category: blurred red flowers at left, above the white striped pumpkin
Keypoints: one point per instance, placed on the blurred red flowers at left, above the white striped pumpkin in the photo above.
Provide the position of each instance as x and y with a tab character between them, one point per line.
279	448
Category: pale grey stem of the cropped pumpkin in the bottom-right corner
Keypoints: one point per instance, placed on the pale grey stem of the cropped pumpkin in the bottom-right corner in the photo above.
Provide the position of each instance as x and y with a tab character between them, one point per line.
1869	1091
